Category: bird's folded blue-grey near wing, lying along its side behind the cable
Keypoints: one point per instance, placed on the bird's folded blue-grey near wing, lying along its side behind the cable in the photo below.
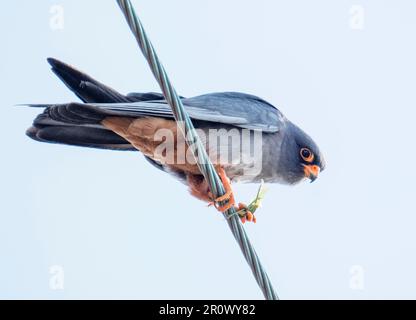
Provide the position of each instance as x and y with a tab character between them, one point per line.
236	109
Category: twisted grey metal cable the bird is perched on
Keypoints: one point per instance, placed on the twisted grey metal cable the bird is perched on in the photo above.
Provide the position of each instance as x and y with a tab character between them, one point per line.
205	166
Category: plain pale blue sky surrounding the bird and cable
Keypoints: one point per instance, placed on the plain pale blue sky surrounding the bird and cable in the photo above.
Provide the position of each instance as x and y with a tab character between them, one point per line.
121	229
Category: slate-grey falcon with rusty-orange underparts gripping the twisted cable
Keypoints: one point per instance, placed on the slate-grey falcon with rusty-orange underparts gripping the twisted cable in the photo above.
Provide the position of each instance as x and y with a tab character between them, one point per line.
107	119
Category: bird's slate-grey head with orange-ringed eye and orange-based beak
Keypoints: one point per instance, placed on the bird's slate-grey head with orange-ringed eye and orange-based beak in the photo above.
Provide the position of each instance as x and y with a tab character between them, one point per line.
300	156
